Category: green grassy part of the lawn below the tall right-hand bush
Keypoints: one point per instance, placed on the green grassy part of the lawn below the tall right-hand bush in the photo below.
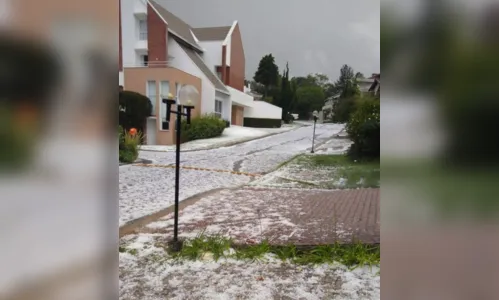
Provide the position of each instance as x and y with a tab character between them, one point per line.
344	172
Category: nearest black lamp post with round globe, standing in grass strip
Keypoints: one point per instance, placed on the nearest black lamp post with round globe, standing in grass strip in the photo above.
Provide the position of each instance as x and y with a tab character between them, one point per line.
181	110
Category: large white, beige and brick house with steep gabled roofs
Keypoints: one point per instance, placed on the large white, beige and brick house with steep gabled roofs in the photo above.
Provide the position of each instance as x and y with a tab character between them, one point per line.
159	53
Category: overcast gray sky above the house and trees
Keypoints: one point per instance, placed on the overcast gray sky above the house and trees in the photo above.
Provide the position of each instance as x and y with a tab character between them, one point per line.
314	36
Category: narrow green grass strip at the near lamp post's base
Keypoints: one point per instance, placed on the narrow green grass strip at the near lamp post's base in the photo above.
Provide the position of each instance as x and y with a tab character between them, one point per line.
352	255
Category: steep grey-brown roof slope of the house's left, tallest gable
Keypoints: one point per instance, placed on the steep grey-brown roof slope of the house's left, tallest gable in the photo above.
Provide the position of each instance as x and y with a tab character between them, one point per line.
176	26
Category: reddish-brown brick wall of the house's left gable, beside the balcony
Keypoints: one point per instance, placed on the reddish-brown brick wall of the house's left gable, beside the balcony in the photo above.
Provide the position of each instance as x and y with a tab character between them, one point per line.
157	39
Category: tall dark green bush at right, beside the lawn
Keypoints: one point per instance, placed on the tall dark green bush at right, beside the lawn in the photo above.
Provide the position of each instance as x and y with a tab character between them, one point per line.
364	130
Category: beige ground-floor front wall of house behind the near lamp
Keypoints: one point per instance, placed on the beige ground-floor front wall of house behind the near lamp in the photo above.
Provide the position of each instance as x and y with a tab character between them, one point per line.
136	80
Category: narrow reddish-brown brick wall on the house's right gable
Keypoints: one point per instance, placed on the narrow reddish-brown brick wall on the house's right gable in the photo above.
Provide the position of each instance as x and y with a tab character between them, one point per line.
237	60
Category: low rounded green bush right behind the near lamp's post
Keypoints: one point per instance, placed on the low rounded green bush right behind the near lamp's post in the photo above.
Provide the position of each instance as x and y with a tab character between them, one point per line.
204	127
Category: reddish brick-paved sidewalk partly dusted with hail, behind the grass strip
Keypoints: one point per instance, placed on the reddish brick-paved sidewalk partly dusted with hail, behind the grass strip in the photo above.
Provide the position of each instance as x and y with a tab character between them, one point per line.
301	217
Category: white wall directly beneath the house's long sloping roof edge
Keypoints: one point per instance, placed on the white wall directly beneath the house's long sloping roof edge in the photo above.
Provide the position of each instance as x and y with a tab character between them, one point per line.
182	62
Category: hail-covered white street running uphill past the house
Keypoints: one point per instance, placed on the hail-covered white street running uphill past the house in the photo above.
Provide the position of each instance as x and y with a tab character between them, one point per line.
145	190
